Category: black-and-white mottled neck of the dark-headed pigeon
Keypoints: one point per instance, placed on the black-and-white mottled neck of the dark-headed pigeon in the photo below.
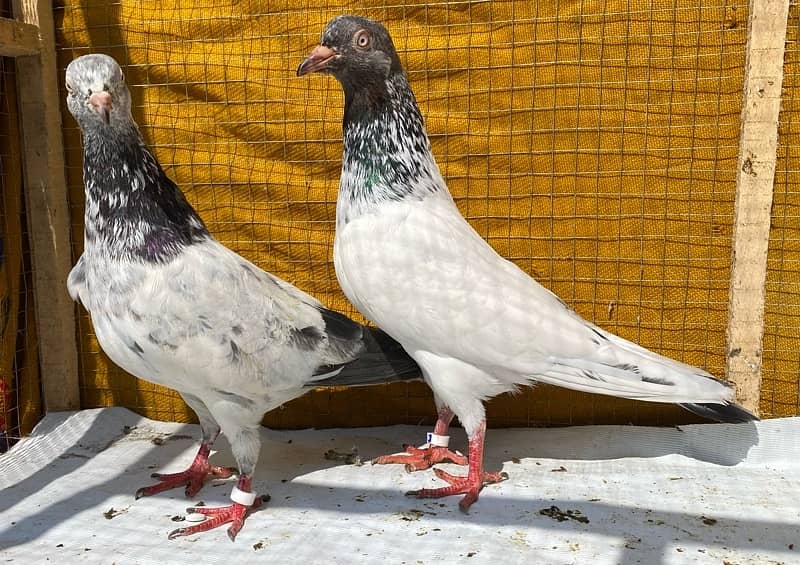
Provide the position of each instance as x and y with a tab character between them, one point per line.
387	155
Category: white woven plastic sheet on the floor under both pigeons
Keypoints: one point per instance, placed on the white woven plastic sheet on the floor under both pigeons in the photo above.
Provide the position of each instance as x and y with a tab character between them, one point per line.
725	494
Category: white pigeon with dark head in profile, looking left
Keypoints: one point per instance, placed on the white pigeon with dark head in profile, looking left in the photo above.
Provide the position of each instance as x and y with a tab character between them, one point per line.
477	324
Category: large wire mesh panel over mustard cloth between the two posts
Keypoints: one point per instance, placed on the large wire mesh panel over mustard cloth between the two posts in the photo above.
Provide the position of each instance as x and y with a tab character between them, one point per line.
593	145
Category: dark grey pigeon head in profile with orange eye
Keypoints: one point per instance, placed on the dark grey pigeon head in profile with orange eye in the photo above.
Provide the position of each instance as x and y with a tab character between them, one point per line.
357	51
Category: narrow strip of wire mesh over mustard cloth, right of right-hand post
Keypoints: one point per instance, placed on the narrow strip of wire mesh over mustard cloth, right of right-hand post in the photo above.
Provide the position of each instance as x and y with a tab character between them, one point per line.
780	389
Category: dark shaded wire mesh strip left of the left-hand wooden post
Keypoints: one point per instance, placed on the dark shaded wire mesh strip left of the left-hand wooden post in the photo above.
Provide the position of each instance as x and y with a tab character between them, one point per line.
20	405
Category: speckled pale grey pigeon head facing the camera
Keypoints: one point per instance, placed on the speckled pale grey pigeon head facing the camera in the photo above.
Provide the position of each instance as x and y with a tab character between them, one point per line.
96	93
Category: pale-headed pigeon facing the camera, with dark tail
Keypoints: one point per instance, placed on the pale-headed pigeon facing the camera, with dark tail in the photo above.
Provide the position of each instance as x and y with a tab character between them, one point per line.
172	305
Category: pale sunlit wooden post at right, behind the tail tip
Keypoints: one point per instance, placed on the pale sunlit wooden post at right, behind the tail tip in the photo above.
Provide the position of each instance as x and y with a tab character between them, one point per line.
758	144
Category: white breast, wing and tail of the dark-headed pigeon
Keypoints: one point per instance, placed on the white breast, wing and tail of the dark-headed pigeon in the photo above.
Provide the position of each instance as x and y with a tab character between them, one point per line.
460	299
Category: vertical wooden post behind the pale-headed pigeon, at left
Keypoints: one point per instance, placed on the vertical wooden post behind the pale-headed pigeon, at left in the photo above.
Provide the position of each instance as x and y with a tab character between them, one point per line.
48	210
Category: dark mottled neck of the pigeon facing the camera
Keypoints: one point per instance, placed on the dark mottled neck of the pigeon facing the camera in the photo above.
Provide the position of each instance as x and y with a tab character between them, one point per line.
133	211
